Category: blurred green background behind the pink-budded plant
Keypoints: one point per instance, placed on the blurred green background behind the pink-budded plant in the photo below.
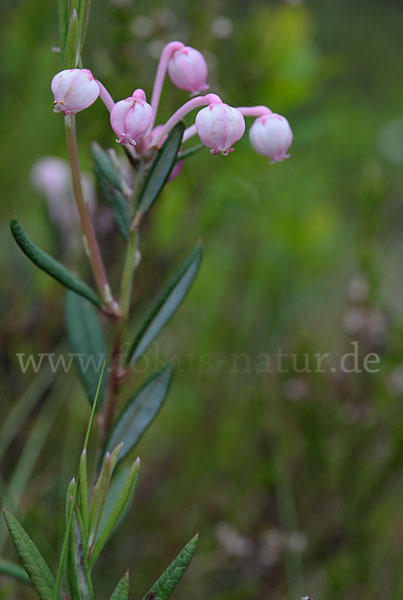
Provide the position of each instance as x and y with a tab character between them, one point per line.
294	479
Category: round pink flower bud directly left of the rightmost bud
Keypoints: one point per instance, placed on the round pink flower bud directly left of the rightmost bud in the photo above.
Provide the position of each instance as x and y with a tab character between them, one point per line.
219	126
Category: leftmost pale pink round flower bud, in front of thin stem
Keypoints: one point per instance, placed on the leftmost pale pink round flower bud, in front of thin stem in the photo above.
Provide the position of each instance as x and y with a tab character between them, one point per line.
74	90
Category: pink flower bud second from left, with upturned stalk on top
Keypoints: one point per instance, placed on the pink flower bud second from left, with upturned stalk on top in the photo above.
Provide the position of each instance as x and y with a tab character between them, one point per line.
131	118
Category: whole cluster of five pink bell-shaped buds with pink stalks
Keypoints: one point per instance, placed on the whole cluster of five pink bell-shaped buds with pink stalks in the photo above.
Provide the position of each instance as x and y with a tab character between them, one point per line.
218	125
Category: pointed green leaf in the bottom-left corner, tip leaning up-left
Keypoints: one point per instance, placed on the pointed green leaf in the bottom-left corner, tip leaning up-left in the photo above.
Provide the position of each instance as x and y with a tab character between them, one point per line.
31	558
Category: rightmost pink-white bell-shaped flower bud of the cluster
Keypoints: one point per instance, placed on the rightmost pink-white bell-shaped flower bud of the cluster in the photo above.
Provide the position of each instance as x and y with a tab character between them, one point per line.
271	136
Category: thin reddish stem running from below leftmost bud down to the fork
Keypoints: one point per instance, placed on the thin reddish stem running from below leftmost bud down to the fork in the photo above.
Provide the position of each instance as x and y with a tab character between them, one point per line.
94	254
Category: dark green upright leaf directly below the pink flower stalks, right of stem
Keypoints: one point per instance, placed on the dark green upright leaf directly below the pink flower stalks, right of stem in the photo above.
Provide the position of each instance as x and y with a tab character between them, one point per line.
161	169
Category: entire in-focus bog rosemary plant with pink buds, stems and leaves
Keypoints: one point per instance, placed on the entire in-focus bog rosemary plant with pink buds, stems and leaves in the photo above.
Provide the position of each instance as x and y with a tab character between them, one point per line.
131	181
